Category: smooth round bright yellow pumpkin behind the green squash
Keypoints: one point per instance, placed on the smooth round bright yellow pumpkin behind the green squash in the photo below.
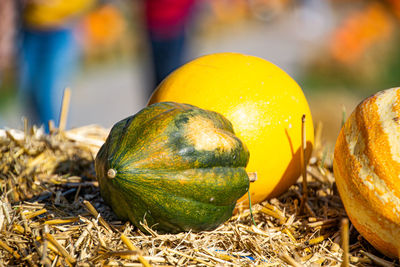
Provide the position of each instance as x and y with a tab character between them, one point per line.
264	104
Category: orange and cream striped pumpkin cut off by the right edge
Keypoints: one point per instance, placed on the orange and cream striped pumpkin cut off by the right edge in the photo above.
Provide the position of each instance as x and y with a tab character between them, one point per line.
367	170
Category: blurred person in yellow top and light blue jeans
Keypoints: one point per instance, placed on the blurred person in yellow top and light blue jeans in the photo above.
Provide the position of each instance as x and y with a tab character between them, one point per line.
49	55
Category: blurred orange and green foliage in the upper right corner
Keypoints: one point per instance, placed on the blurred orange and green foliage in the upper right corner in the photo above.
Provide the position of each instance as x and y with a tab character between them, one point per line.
362	53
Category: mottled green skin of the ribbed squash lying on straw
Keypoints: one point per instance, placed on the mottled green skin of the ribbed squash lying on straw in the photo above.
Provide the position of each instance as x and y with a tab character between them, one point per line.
162	178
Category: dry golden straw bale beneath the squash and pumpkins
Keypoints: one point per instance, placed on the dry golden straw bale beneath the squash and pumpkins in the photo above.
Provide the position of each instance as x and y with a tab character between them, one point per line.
51	214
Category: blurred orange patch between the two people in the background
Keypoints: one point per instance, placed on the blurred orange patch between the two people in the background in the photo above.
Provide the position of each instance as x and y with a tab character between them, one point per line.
111	32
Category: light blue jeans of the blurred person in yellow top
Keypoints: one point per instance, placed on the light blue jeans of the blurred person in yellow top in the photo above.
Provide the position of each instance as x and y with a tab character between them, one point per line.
48	60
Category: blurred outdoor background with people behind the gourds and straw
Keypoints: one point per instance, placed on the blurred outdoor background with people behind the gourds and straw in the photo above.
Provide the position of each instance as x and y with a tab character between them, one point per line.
338	51
